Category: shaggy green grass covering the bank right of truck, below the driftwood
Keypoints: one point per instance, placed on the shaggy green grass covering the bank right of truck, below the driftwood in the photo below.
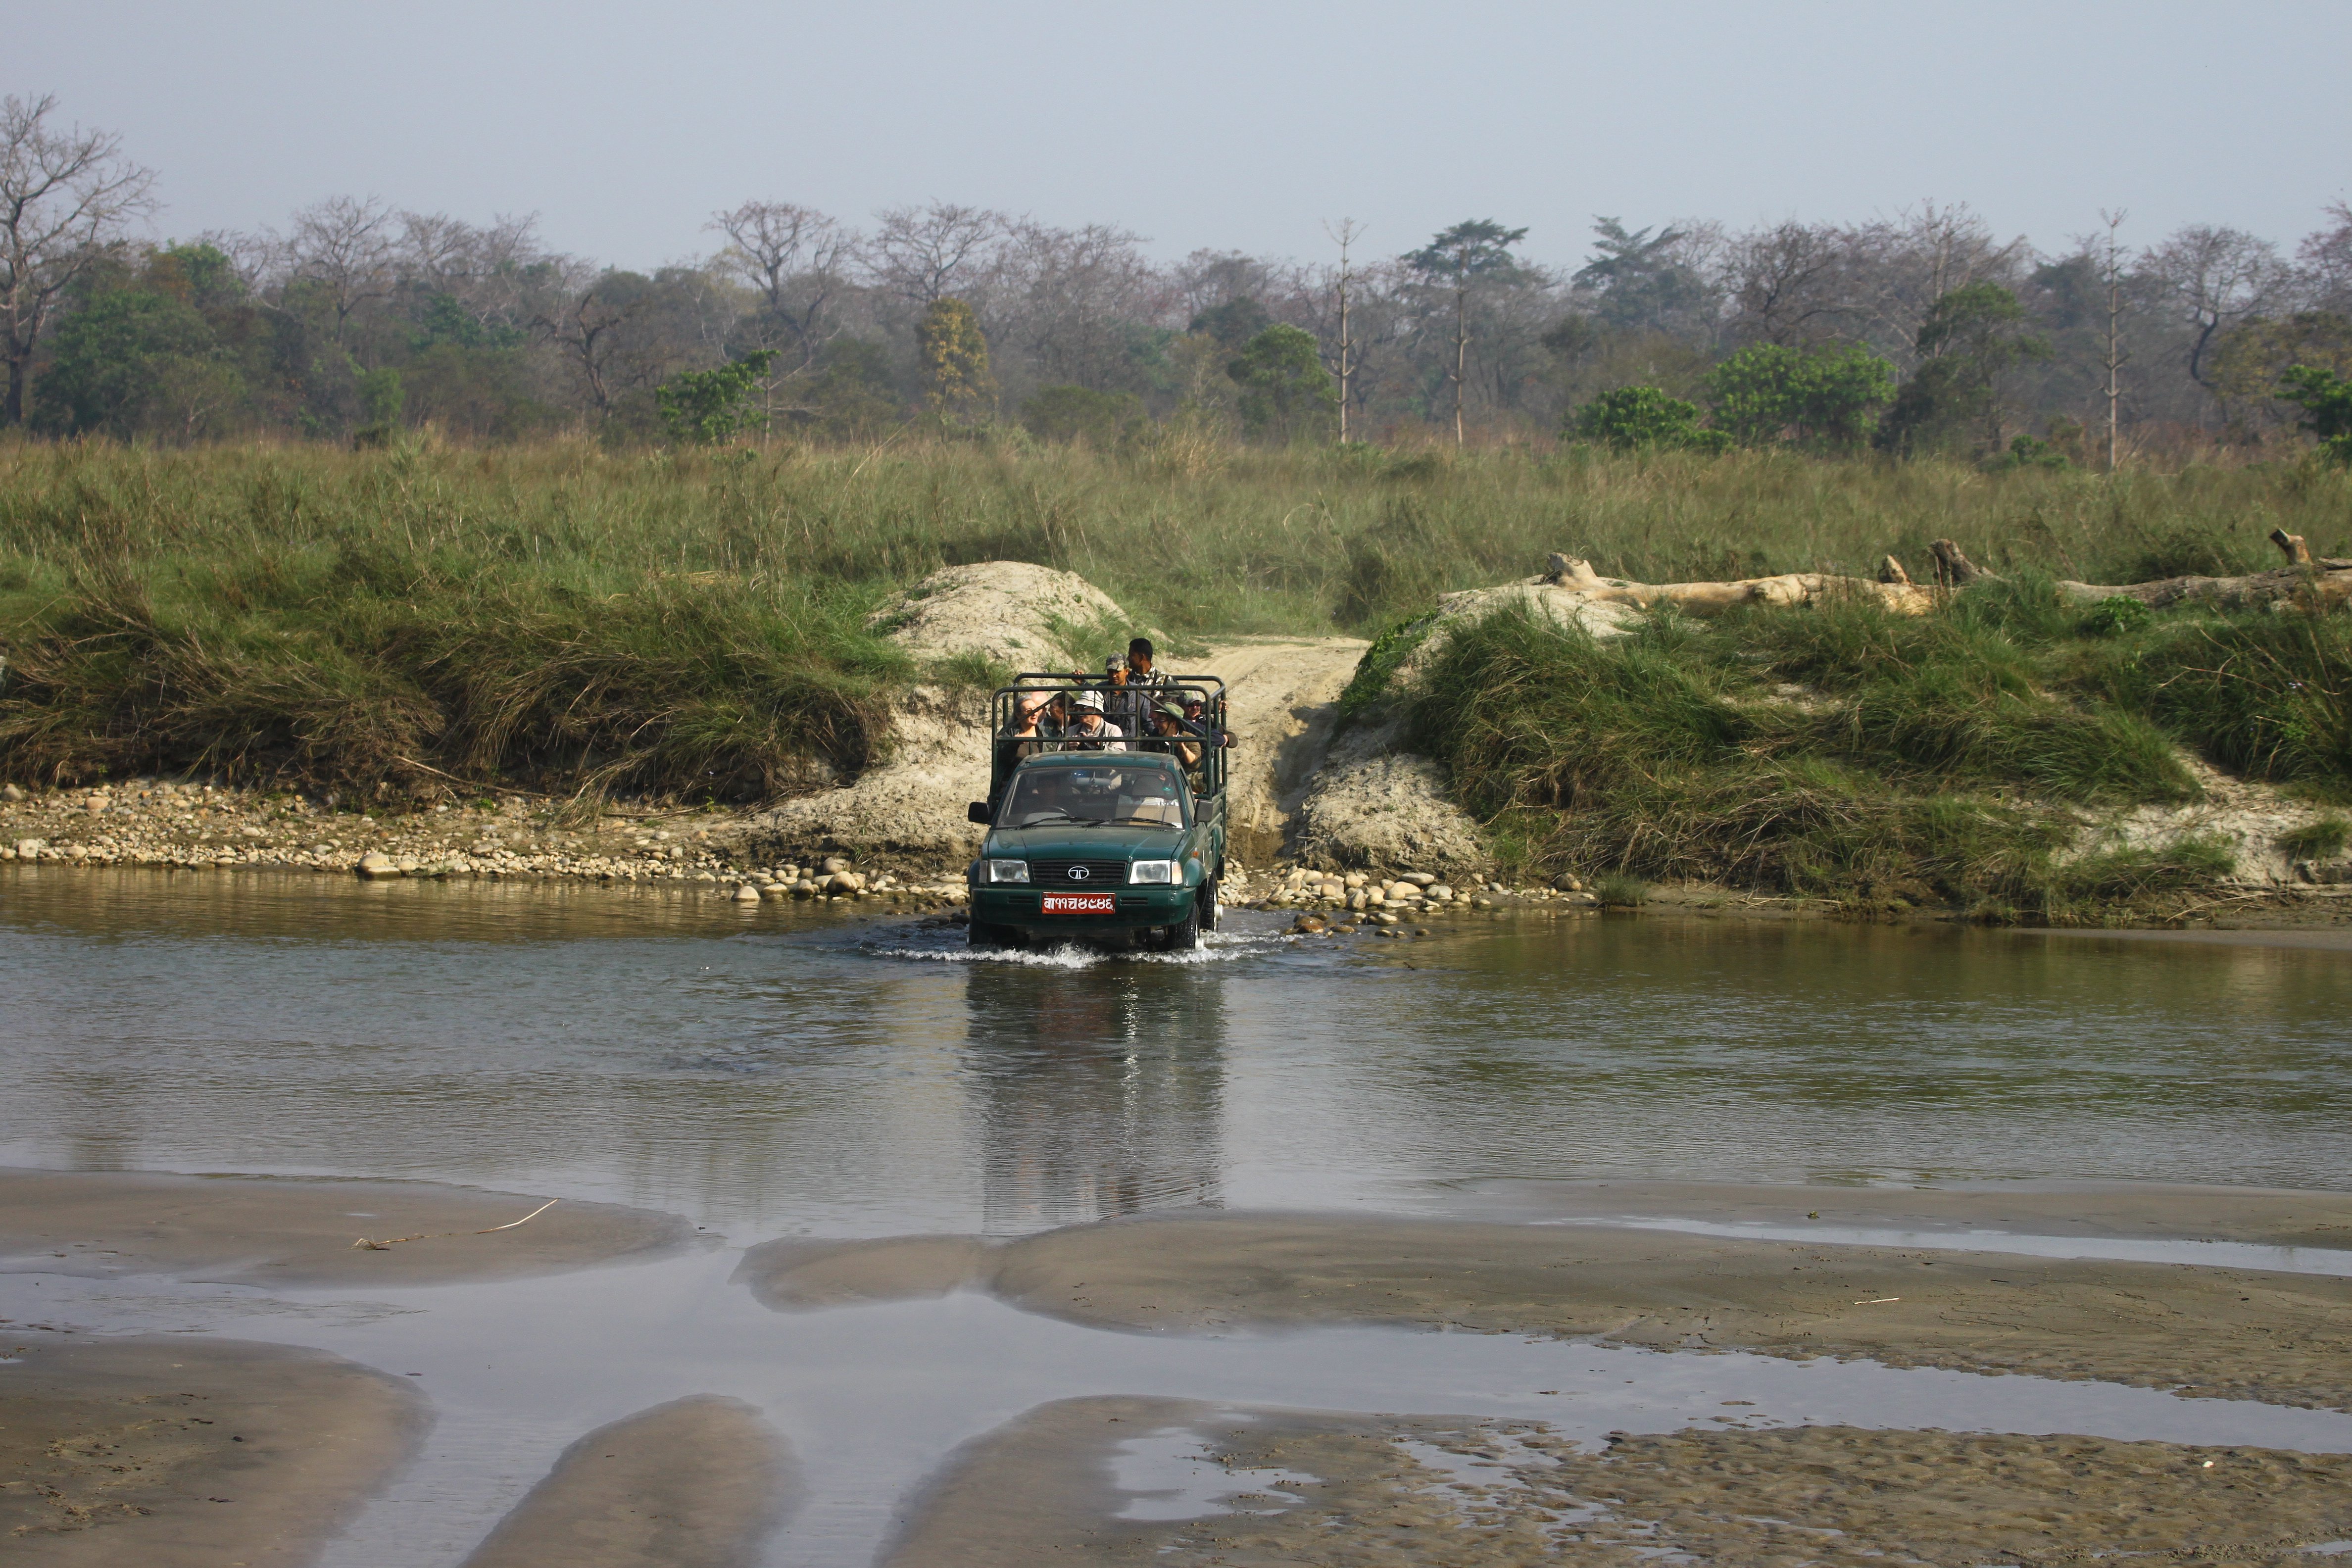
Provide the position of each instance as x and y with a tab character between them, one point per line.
1838	751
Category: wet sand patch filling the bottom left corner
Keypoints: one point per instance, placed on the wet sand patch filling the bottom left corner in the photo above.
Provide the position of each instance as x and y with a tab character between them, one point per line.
189	1452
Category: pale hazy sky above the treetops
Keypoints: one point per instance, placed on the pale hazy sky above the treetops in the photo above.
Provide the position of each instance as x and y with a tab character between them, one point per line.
1212	123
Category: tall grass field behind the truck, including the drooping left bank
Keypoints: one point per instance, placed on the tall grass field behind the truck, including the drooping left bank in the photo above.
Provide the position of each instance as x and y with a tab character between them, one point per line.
688	622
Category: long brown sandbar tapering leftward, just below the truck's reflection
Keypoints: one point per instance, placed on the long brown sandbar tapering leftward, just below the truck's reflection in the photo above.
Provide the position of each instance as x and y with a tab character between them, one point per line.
2210	1332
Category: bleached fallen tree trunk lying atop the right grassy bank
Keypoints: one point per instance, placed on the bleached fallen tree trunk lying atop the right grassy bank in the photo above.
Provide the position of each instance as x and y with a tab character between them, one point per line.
2304	579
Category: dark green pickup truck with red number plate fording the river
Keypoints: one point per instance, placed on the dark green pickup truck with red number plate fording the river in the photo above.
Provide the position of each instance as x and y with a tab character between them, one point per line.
1102	845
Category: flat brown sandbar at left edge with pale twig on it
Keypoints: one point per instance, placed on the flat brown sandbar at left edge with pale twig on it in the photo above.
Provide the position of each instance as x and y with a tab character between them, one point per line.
302	1233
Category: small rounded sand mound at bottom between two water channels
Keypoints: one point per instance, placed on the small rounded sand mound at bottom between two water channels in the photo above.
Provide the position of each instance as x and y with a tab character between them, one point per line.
688	1485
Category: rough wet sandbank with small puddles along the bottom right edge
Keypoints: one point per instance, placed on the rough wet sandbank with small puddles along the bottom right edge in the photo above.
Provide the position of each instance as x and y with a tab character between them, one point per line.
1372	1492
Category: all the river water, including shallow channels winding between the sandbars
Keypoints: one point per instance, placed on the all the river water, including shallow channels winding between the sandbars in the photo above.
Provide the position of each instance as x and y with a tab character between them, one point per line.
791	1071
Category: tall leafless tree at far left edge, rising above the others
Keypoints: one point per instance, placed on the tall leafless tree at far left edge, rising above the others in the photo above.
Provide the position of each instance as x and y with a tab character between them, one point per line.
65	203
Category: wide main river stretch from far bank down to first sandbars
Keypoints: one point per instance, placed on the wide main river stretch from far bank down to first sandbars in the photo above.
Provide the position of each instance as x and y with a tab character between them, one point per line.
791	1071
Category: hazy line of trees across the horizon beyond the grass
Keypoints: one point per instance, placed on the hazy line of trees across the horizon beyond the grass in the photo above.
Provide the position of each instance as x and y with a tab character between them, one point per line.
1920	333
